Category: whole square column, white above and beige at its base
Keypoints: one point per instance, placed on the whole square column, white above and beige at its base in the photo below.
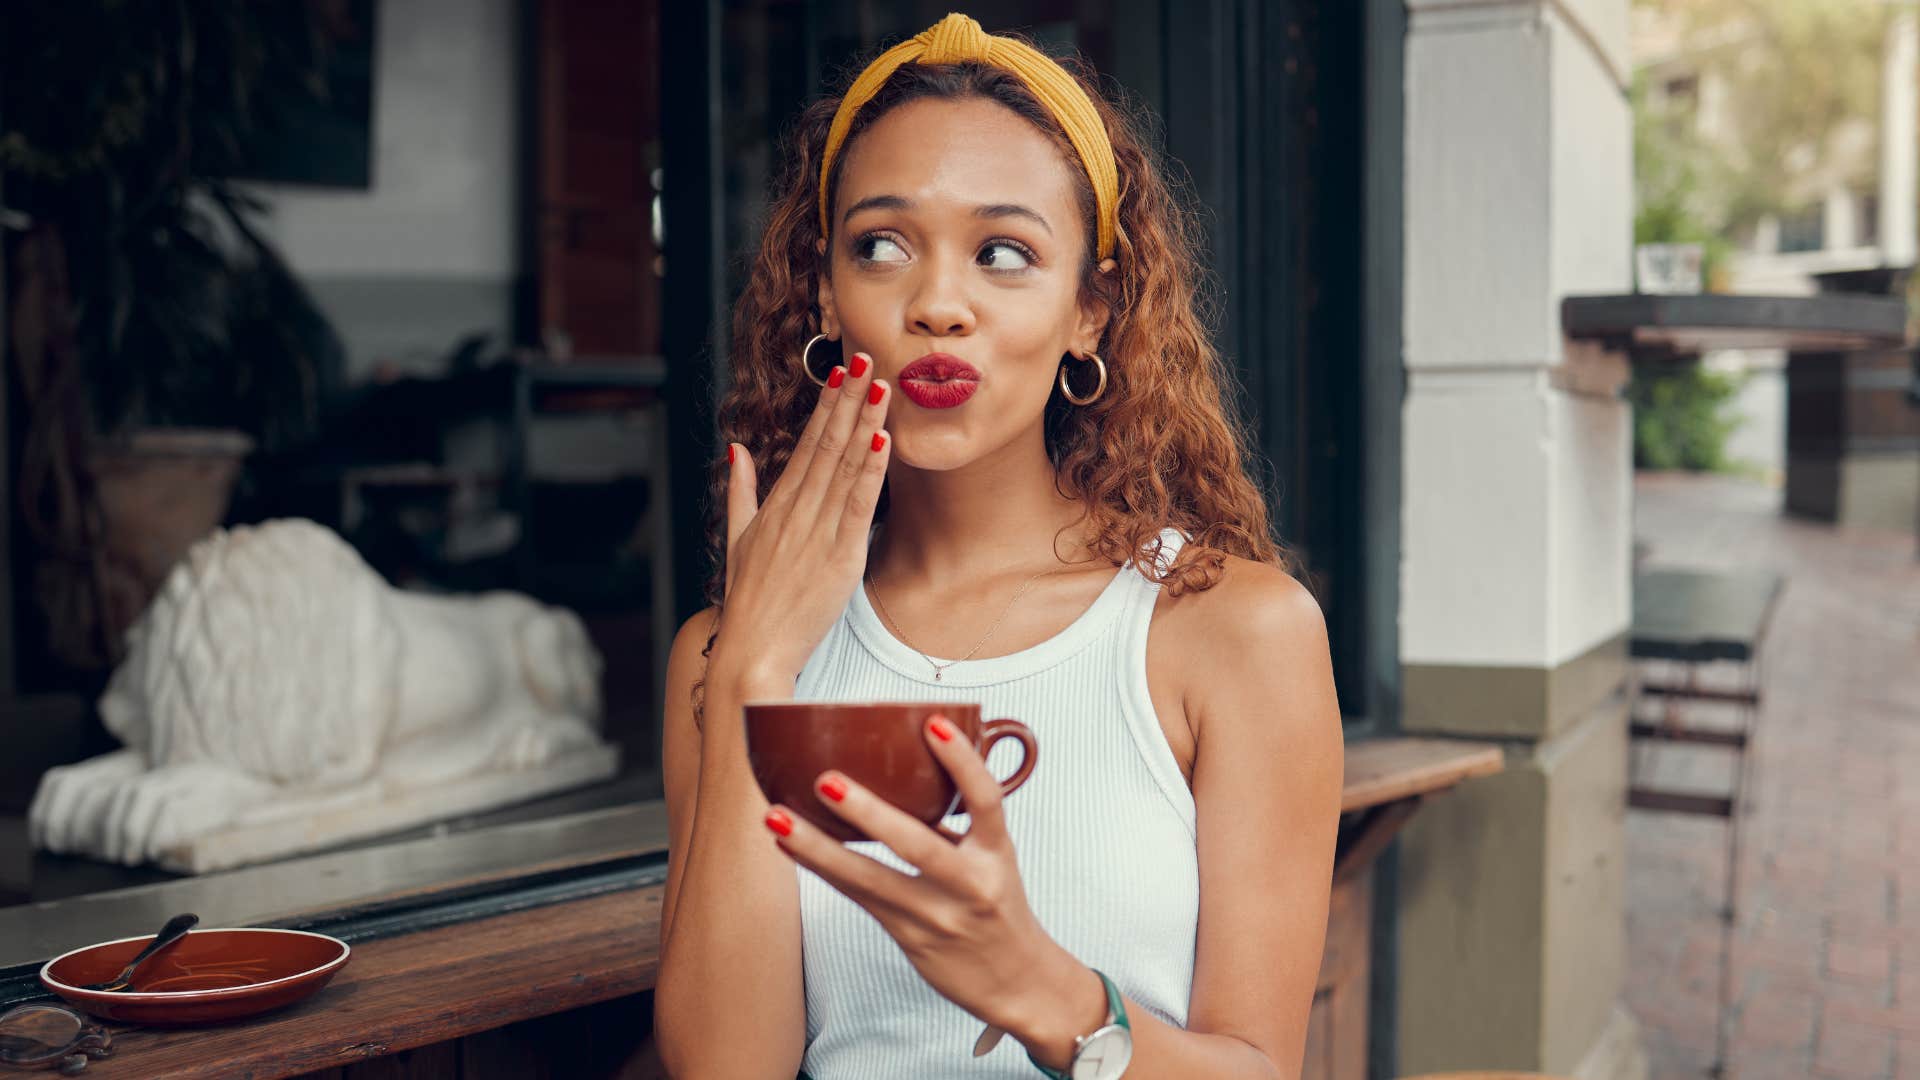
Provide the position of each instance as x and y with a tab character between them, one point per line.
1518	529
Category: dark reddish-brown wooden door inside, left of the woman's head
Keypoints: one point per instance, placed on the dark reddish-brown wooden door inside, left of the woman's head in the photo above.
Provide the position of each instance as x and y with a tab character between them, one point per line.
600	151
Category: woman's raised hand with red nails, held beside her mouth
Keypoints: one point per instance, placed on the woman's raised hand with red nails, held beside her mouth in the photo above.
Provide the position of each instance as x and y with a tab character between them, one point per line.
794	562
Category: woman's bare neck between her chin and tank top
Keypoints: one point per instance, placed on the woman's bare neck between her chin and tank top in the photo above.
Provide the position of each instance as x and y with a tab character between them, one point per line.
1001	514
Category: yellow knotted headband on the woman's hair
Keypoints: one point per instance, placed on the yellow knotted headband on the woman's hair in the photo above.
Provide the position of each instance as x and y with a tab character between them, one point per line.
959	39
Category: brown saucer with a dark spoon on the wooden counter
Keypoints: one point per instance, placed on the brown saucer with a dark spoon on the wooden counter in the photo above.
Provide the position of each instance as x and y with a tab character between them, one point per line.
210	975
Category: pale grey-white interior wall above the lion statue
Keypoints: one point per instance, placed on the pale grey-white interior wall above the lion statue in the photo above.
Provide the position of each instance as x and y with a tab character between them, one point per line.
431	251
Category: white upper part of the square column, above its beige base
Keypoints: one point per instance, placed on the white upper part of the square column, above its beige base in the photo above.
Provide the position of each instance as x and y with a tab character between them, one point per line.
1520	193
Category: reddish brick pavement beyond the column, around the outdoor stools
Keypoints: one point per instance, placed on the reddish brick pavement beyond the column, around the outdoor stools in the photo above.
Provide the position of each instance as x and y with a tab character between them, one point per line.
1827	948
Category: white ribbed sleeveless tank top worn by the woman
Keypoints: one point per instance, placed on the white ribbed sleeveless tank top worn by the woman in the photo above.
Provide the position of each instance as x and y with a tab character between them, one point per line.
1105	837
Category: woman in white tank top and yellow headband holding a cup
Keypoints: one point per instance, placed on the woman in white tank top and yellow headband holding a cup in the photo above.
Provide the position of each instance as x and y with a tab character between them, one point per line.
1061	503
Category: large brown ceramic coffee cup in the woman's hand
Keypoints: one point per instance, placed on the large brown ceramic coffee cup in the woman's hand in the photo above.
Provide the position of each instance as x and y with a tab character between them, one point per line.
880	747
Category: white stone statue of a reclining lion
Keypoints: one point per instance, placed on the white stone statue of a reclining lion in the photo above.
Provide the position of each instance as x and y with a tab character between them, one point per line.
281	697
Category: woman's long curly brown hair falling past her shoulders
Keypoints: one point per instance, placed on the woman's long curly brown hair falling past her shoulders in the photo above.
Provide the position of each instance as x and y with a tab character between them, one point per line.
1161	447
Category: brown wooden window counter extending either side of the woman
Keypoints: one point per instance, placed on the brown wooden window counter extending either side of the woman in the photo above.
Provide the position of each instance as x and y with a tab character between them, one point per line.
558	989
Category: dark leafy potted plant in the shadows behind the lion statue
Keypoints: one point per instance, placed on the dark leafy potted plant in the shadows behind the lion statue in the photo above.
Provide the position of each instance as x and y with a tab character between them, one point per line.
155	337
